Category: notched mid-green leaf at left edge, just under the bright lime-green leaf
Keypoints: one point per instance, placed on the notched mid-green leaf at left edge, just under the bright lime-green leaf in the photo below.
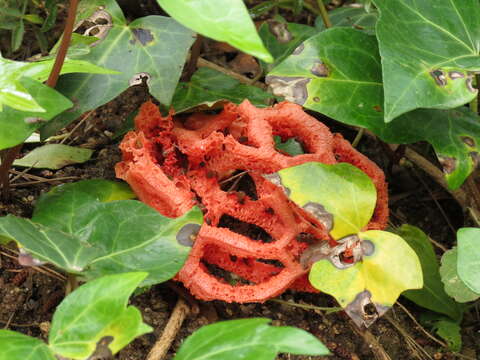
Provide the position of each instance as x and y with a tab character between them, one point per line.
16	125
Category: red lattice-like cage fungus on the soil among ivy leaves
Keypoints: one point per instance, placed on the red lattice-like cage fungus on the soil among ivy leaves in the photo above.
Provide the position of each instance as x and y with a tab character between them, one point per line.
249	247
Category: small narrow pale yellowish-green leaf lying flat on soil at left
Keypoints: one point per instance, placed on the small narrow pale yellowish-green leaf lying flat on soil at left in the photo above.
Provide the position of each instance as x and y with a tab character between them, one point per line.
54	156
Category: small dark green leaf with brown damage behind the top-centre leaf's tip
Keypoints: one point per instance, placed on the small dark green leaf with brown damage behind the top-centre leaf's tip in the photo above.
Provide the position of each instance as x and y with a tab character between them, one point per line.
281	39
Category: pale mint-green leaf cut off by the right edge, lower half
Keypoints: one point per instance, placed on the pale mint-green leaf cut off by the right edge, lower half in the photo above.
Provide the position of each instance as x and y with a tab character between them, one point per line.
469	257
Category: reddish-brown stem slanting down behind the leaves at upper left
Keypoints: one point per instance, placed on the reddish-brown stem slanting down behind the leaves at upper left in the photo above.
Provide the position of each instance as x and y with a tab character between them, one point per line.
8	156
